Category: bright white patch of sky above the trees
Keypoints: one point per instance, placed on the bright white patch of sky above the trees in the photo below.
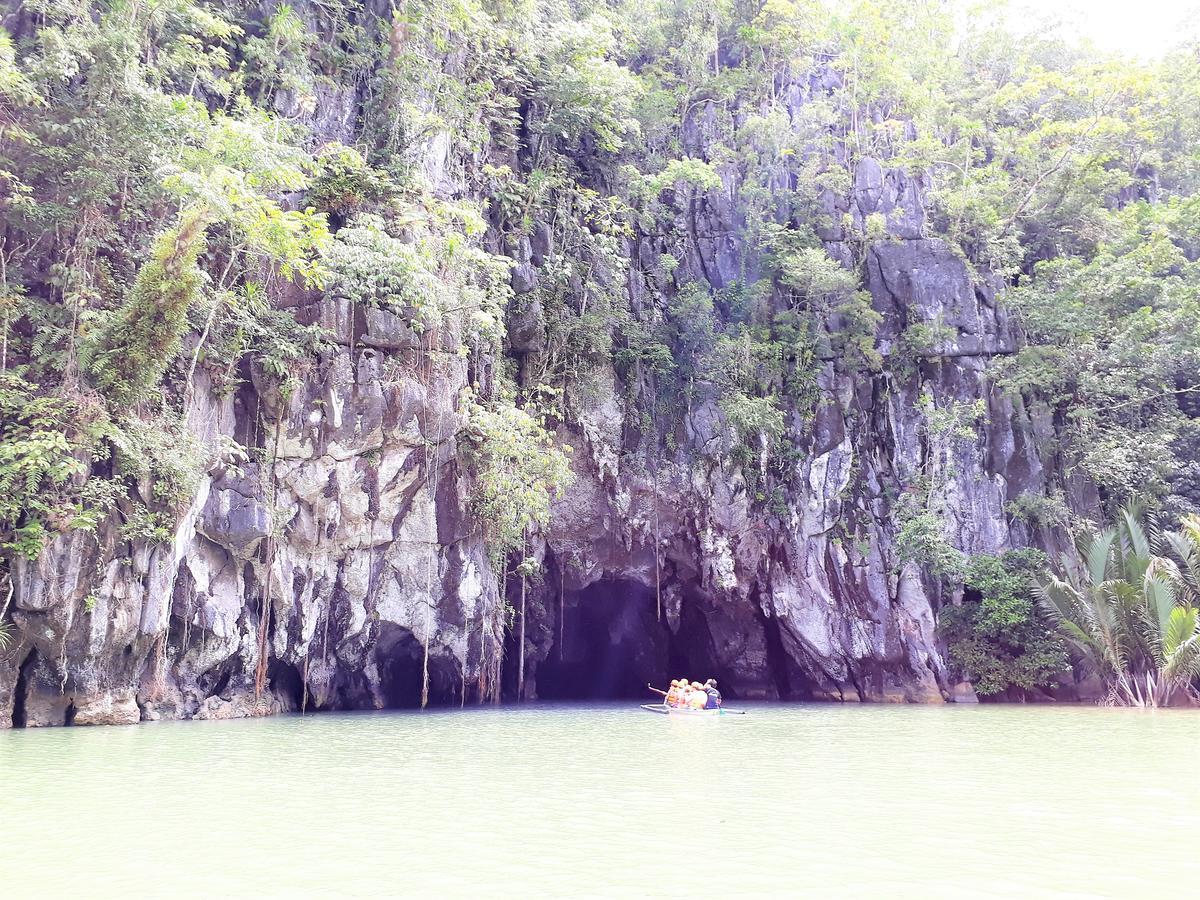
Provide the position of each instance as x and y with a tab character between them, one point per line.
1138	28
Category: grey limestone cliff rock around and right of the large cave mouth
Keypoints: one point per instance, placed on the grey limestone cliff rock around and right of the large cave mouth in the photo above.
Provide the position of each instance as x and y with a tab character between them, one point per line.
815	603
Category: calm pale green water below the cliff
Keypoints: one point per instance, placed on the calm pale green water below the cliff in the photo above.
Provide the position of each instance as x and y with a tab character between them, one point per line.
824	801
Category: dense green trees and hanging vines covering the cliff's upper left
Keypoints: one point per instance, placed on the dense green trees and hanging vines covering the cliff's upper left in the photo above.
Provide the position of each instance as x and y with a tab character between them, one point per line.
140	191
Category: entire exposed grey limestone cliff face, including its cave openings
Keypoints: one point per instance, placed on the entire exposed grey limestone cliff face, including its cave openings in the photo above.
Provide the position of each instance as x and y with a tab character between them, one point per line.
356	520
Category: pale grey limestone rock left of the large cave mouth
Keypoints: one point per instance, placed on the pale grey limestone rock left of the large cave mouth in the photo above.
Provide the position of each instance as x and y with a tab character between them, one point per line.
359	520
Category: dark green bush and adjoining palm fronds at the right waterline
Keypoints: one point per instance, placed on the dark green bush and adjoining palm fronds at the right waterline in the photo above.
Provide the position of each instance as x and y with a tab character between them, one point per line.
1125	610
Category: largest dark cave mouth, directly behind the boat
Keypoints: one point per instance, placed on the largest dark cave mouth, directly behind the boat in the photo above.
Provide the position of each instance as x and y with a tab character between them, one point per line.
613	645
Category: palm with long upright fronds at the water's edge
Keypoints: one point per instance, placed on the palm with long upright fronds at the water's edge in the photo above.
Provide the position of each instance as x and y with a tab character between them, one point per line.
1131	613
